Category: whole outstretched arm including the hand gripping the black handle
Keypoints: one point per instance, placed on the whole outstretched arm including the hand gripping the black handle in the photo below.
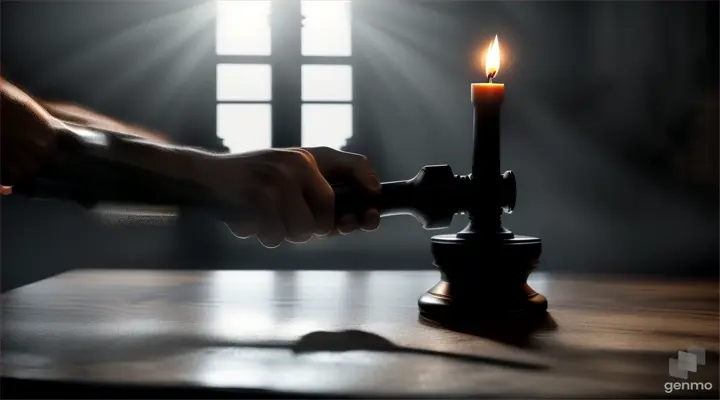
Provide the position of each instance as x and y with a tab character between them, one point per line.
285	192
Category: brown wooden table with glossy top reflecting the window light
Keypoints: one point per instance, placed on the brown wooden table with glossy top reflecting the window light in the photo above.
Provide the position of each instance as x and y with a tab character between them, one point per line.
242	333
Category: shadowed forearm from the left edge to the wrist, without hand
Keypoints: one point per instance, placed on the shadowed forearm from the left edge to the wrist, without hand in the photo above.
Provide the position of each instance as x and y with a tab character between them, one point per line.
44	154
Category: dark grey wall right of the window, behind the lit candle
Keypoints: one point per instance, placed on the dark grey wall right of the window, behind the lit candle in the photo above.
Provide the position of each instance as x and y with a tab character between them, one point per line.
610	119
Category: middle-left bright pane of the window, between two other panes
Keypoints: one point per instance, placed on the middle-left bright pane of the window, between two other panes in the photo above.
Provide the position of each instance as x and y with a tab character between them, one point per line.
244	82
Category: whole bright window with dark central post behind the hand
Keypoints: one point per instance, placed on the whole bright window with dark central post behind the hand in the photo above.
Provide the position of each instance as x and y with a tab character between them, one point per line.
244	45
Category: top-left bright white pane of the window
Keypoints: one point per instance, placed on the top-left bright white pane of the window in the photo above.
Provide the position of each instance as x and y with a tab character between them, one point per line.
243	27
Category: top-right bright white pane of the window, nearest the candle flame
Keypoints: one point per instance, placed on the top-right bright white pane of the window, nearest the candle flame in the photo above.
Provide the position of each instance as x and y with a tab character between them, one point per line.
326	28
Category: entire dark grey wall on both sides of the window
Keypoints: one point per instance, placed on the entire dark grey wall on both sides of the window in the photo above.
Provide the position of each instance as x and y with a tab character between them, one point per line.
610	123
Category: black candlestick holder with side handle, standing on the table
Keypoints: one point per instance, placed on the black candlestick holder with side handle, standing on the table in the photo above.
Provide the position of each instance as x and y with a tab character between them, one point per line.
484	268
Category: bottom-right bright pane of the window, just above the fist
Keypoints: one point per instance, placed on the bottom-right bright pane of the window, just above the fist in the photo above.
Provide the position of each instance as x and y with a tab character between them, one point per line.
326	125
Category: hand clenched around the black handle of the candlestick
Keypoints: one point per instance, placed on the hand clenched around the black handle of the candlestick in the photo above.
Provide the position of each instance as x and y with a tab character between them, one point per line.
287	192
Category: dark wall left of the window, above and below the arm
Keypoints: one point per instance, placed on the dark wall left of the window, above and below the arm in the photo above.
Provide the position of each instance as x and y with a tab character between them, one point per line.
148	63
